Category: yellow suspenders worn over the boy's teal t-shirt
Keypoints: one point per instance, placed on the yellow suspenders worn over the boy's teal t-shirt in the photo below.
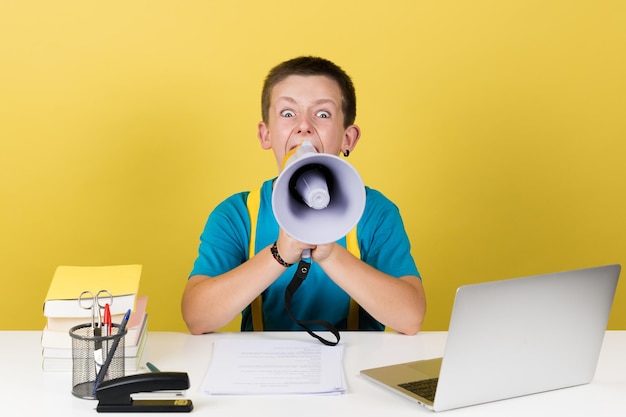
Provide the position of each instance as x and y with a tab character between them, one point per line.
352	245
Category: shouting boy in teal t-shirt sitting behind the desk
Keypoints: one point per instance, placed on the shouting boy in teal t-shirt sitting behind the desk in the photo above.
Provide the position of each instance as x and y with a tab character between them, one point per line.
305	98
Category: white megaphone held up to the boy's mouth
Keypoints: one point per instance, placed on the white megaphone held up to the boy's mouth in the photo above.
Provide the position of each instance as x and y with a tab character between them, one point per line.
318	198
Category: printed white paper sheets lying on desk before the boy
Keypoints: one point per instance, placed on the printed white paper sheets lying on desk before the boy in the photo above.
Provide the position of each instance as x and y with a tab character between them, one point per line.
267	367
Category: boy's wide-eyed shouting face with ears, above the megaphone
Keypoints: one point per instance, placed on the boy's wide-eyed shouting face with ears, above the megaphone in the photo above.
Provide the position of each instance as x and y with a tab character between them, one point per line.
306	108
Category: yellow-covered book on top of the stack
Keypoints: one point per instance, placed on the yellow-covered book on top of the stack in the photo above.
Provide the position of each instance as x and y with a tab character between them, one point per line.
68	282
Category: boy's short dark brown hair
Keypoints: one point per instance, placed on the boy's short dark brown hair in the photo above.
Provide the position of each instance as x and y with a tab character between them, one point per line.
311	65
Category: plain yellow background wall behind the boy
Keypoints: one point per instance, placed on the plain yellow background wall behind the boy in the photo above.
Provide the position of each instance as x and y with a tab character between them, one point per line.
498	128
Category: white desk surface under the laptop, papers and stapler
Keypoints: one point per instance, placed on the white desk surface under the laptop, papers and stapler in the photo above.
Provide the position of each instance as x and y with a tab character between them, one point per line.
26	389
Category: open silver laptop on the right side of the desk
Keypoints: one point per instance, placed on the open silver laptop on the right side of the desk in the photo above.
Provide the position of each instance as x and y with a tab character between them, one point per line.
511	338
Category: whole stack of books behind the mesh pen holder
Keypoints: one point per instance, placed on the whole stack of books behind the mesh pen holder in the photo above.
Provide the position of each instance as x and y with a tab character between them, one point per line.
63	311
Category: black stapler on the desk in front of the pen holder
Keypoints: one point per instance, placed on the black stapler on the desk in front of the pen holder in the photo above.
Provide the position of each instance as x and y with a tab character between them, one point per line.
115	395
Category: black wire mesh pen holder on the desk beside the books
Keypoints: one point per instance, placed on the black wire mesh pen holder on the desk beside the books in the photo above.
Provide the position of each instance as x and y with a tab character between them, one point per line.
89	353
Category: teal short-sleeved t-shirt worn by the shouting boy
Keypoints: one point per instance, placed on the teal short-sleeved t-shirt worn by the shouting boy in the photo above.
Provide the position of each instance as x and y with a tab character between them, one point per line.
224	244
